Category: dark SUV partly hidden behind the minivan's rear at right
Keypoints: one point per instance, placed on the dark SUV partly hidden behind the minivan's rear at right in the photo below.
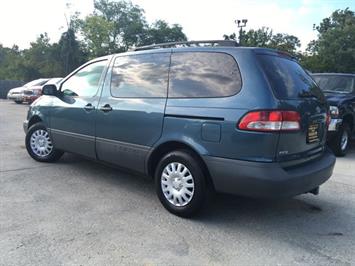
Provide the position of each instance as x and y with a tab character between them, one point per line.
339	89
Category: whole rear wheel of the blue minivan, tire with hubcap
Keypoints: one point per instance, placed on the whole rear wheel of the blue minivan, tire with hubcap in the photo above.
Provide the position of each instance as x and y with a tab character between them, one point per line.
185	191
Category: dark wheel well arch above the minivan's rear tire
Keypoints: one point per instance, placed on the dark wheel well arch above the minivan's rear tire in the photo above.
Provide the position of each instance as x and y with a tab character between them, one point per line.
167	147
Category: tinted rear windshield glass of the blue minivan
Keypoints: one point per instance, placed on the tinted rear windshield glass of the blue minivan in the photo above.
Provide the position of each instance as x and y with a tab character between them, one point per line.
288	79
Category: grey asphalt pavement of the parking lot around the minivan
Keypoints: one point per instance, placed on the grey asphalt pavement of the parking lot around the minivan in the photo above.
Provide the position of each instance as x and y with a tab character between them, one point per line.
79	212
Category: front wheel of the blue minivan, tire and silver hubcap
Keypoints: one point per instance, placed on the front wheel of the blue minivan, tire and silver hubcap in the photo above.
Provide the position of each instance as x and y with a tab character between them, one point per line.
39	145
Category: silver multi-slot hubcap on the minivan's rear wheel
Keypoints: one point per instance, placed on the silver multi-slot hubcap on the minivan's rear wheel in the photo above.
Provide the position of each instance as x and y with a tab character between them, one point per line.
177	184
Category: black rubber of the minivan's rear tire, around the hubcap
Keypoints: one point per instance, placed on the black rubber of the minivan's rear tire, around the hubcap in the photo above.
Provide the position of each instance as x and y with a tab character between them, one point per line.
194	167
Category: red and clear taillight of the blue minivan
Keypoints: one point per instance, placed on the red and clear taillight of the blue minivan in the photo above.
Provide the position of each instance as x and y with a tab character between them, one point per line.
271	121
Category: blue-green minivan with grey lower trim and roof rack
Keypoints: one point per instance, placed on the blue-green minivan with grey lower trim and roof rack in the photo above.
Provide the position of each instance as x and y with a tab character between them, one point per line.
245	121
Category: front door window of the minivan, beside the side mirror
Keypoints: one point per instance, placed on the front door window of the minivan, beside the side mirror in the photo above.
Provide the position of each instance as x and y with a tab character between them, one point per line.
85	82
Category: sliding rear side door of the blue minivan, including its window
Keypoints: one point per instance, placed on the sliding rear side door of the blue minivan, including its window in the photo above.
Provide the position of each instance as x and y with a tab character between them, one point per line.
131	111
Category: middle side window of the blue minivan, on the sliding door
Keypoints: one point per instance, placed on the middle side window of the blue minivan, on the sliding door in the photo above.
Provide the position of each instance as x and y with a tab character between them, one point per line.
140	76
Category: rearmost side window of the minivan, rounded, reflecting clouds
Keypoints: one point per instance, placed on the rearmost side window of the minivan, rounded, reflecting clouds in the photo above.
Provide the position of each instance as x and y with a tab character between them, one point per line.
203	74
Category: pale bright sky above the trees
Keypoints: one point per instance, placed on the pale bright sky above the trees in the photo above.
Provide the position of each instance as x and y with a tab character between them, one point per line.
21	21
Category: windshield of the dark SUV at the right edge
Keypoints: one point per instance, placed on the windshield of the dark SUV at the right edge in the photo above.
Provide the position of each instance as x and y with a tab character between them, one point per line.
335	83
